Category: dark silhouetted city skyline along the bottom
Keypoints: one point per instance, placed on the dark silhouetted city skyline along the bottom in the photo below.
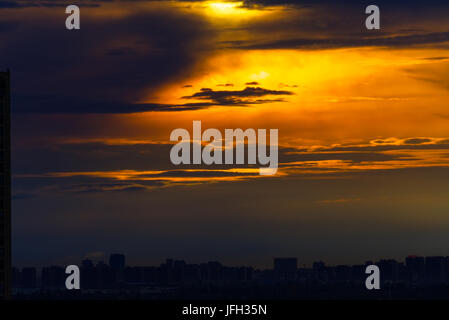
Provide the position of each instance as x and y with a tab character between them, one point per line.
416	277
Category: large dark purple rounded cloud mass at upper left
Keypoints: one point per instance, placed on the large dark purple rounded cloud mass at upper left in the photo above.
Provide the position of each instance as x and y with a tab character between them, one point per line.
91	70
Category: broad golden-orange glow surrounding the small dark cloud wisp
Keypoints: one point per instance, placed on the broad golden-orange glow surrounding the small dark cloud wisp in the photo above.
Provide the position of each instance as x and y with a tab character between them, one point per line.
342	87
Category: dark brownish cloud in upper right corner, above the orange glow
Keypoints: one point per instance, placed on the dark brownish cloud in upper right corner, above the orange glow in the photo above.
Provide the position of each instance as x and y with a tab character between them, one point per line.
334	24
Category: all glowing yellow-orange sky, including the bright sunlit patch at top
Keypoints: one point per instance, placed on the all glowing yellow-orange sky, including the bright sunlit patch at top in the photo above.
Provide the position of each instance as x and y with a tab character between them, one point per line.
341	96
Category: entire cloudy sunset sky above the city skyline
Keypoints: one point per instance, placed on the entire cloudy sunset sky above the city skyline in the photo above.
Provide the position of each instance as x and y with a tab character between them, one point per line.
363	123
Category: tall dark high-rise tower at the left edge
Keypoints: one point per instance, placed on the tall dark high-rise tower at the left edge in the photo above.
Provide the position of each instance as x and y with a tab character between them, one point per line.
5	187
